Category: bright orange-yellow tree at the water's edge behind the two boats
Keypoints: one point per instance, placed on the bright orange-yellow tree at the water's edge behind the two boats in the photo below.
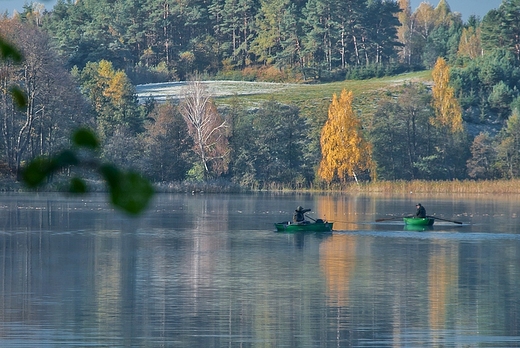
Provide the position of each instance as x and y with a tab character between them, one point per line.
343	148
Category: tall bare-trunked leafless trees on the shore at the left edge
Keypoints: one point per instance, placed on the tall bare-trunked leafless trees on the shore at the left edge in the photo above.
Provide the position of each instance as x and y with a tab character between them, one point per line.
42	122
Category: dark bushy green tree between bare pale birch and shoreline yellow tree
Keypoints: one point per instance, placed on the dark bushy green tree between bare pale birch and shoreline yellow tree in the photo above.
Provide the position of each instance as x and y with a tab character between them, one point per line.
268	147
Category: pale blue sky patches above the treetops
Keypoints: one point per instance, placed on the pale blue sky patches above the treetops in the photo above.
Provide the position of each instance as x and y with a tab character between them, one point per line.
465	7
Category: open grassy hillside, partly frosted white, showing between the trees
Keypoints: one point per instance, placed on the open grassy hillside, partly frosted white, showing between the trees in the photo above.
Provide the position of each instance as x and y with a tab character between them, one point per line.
367	93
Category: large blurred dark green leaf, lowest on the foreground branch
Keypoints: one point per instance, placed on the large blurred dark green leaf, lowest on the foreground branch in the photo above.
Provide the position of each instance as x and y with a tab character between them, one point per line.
131	192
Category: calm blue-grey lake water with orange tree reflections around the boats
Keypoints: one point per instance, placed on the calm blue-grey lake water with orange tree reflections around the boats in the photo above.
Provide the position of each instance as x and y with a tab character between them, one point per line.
210	271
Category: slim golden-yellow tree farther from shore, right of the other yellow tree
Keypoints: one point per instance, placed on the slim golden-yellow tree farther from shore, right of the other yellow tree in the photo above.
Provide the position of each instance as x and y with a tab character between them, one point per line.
448	113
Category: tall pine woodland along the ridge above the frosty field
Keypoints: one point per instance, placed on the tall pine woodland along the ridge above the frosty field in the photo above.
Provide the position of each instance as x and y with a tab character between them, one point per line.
273	39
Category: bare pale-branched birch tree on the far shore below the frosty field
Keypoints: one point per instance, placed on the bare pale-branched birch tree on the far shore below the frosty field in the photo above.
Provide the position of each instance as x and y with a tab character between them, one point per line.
206	127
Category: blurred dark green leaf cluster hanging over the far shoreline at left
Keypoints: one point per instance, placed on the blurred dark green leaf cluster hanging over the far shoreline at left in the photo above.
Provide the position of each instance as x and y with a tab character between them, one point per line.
128	190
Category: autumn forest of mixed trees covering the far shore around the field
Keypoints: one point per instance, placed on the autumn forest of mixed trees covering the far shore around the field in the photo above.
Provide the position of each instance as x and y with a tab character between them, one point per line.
83	59
